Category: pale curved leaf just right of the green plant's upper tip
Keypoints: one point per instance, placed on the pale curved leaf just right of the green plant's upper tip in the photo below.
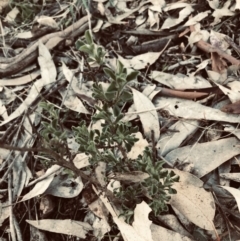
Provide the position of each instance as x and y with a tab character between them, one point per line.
140	61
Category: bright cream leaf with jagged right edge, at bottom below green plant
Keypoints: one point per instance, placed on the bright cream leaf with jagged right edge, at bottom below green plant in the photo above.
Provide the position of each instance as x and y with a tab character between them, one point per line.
141	221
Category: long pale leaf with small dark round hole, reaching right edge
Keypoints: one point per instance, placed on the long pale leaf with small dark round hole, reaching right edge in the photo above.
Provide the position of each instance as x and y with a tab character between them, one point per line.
193	110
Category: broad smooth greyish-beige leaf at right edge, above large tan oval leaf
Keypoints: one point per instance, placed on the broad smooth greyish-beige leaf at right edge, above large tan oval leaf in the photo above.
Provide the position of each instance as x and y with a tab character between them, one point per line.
207	156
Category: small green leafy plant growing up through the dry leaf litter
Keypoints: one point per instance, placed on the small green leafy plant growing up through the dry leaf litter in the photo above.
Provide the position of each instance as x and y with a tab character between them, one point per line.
115	139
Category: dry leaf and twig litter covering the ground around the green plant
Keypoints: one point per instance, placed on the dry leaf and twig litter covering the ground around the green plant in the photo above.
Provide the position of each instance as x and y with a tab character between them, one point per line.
188	85
